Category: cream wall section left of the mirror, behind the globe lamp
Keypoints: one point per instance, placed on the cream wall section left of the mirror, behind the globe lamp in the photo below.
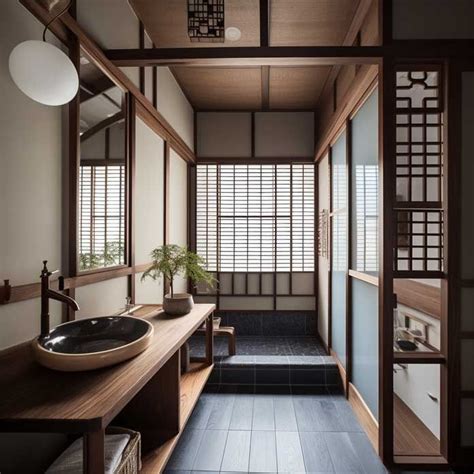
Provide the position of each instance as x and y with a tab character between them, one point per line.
30	183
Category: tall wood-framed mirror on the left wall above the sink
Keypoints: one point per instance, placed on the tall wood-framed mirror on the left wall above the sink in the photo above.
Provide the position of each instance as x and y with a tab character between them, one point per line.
102	180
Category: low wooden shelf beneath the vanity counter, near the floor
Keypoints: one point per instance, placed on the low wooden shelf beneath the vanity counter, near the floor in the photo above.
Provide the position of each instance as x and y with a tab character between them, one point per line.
192	383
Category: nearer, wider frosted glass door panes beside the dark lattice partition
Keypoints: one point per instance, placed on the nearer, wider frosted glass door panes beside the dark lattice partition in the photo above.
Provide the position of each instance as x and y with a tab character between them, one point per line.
364	215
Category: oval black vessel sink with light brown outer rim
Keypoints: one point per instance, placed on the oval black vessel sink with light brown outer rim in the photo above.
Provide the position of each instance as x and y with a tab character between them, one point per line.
88	344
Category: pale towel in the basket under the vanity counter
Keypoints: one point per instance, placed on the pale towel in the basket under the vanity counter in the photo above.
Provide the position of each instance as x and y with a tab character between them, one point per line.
70	461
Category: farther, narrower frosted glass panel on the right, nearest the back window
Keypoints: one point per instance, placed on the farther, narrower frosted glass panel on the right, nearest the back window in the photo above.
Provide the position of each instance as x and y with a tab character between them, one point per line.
339	261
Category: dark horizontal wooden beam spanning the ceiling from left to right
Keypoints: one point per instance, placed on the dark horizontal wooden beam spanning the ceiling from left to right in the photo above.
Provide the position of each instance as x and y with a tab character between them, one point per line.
246	56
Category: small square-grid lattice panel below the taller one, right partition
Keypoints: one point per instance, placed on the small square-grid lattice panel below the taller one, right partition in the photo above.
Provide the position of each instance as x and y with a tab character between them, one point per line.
419	240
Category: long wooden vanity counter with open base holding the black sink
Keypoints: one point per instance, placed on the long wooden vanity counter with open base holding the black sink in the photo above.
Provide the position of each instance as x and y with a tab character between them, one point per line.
146	393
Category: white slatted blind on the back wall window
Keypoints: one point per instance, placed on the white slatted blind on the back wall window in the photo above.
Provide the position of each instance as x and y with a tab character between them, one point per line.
256	218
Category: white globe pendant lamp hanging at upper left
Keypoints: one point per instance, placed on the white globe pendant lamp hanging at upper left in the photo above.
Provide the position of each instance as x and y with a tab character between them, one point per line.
43	72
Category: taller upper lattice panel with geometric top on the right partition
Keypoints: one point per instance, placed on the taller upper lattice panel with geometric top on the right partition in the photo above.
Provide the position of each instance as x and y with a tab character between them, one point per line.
419	146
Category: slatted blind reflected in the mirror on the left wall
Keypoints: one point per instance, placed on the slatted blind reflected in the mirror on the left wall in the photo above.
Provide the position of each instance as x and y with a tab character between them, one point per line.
102	215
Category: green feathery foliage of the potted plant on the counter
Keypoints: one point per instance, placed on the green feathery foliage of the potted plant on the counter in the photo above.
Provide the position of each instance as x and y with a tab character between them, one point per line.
172	260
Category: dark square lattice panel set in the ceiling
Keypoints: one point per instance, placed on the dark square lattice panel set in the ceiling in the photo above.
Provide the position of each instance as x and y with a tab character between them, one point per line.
206	20
